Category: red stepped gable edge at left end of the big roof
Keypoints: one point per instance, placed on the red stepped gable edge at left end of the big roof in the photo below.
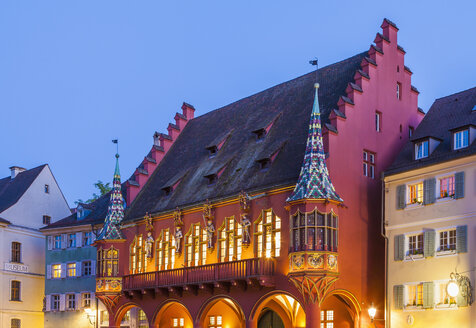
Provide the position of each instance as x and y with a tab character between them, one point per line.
162	144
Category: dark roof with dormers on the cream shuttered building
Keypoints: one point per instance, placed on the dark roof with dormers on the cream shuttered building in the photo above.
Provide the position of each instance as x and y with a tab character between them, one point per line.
445	115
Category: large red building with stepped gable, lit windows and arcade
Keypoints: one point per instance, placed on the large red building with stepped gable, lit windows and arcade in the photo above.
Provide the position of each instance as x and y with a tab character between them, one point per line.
227	232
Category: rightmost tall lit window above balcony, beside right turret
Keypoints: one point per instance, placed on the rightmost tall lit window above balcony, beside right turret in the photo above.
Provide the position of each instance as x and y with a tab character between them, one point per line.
268	235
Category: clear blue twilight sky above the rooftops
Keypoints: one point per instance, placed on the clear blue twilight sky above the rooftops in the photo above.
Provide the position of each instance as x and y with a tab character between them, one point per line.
76	74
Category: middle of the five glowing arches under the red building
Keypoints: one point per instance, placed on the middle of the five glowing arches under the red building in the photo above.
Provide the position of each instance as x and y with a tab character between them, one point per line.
218	305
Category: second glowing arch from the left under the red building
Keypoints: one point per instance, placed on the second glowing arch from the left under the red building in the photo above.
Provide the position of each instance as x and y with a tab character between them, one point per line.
170	309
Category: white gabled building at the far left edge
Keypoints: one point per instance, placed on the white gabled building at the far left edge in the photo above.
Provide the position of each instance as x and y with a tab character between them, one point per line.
29	199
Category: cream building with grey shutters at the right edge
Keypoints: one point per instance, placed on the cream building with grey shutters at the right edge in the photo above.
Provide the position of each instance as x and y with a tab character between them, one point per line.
430	219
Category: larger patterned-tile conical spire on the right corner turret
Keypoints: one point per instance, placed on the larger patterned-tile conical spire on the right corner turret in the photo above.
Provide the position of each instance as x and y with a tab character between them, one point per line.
314	181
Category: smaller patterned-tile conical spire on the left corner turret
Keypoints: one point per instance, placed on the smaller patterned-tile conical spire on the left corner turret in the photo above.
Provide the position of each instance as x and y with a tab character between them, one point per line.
115	210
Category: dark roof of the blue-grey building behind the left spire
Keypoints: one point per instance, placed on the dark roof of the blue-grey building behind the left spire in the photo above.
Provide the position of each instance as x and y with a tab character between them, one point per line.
96	216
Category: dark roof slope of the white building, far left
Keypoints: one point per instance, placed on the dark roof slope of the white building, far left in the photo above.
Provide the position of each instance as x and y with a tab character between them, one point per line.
11	190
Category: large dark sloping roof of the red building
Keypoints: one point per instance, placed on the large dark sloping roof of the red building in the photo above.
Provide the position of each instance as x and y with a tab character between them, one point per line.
292	100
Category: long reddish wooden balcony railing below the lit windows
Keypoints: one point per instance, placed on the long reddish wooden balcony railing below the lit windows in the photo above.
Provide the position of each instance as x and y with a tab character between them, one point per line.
257	269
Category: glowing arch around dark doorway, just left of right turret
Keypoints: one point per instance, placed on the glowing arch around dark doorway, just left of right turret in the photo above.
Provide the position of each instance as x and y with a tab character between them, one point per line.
283	303
